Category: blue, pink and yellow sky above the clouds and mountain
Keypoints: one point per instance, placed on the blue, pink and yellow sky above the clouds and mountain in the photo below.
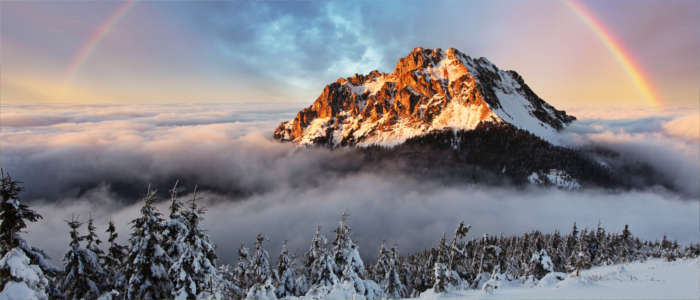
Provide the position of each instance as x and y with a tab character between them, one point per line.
287	51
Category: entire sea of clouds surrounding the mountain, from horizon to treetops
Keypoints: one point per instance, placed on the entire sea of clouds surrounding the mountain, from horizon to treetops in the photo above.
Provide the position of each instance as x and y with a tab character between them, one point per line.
97	160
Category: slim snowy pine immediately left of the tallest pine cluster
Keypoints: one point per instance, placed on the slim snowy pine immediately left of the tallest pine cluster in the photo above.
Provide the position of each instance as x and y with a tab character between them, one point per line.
113	261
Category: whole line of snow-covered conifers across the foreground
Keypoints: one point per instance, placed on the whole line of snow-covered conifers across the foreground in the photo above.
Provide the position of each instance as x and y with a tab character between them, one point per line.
172	258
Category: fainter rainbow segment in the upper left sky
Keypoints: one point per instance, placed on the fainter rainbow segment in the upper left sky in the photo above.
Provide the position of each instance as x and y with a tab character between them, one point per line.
94	39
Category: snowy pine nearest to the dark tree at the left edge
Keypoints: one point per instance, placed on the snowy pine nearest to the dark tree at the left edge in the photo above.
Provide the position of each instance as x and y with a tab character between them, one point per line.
82	274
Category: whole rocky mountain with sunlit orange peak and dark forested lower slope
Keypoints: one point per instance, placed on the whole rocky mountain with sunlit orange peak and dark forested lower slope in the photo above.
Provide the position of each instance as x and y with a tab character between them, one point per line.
447	116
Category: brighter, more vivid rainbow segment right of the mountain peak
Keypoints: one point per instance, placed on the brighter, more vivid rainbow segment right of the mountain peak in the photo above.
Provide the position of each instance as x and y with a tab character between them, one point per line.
622	56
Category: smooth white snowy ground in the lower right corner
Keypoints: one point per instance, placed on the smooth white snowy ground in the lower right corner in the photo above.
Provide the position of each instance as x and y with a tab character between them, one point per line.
653	279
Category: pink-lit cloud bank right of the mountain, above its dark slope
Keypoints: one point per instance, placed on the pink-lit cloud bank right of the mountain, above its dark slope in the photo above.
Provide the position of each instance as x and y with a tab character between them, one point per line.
668	142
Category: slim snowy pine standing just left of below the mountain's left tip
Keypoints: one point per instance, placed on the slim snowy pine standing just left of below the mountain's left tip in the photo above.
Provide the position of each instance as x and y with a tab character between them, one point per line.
263	280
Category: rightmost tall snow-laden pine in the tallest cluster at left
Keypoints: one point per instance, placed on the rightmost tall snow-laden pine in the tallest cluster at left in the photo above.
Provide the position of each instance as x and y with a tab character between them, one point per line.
193	271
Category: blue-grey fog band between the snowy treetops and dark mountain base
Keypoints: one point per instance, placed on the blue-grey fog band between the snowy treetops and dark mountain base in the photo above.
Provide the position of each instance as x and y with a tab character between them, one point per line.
408	212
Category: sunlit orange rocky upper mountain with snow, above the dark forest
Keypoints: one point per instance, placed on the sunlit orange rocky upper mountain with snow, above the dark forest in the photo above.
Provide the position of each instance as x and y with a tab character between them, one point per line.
430	89
